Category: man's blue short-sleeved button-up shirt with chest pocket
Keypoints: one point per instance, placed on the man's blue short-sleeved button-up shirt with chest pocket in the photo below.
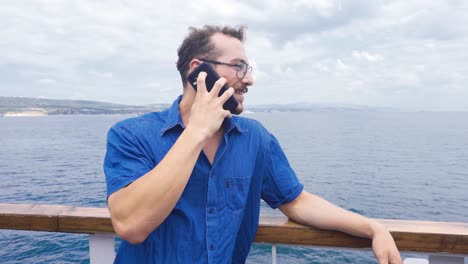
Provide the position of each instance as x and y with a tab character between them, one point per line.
216	218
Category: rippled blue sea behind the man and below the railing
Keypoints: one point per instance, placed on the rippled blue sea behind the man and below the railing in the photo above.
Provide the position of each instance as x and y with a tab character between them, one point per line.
382	164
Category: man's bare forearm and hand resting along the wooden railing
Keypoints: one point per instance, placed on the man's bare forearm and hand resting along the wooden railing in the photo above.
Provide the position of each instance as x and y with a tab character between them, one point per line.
311	210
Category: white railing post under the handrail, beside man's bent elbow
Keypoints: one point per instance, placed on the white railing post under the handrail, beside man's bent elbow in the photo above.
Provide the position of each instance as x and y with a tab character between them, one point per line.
101	248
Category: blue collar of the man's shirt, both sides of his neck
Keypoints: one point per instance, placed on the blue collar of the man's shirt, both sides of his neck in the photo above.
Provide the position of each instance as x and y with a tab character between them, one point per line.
175	120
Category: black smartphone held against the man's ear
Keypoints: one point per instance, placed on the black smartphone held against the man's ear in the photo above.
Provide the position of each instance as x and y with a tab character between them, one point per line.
211	78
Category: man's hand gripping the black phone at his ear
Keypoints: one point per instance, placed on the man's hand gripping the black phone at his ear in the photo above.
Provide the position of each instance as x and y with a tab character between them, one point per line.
207	113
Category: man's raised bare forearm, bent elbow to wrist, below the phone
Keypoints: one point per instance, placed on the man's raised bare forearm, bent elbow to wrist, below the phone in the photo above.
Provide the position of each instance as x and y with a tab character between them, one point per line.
139	208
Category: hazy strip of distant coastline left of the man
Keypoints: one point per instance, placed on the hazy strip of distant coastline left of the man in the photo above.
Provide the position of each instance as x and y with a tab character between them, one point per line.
71	107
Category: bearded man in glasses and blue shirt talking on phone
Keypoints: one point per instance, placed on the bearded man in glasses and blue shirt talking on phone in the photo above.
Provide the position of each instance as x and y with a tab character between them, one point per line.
184	185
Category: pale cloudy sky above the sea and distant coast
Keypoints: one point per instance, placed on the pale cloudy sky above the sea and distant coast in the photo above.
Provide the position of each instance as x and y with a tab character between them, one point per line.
398	54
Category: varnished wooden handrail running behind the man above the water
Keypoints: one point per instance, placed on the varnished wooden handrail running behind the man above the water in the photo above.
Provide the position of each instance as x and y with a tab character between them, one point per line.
417	236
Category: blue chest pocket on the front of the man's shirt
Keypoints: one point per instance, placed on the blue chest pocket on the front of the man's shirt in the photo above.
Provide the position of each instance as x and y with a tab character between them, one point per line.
236	192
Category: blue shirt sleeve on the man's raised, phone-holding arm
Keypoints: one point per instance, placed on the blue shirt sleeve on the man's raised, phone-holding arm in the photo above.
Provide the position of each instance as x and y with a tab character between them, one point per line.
125	159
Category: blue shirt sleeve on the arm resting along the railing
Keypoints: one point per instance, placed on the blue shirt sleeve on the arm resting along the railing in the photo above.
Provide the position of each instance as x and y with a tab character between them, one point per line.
280	183
